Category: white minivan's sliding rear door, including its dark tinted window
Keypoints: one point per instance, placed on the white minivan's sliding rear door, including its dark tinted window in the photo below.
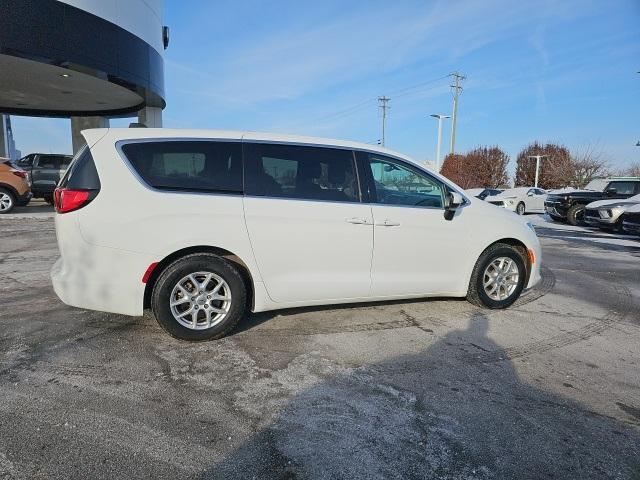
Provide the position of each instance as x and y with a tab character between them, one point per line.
311	235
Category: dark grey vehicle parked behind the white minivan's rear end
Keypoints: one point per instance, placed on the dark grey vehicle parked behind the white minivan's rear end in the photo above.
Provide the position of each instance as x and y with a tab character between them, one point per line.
45	171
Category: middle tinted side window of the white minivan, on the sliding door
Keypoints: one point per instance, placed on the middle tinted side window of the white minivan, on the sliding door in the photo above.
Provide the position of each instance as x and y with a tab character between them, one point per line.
301	172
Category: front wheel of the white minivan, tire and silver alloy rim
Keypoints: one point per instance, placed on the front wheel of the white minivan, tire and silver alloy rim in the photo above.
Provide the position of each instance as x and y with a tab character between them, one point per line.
498	277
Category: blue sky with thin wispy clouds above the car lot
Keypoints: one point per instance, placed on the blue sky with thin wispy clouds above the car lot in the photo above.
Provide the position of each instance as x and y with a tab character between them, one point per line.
551	71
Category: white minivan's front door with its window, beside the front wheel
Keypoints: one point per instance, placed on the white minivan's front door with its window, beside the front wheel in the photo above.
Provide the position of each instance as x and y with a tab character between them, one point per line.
417	250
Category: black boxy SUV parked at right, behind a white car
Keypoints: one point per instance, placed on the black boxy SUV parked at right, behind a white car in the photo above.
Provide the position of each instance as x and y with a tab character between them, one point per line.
570	206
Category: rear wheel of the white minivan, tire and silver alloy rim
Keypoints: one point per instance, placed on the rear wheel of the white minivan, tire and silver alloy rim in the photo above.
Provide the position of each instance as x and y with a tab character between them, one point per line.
199	297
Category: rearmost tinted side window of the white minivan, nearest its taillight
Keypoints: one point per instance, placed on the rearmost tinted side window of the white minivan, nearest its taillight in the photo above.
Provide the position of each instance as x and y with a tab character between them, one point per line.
199	166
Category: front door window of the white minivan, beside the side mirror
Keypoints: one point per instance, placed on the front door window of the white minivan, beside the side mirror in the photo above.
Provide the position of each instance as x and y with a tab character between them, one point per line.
398	184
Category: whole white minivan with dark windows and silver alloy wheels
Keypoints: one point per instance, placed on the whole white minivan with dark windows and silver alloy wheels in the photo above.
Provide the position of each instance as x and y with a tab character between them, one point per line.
204	226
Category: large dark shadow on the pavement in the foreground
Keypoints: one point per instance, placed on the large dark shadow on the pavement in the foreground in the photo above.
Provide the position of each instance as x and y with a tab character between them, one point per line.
442	413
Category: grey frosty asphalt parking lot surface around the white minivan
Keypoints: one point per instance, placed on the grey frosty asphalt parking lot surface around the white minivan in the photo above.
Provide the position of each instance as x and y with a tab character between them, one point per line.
549	388
